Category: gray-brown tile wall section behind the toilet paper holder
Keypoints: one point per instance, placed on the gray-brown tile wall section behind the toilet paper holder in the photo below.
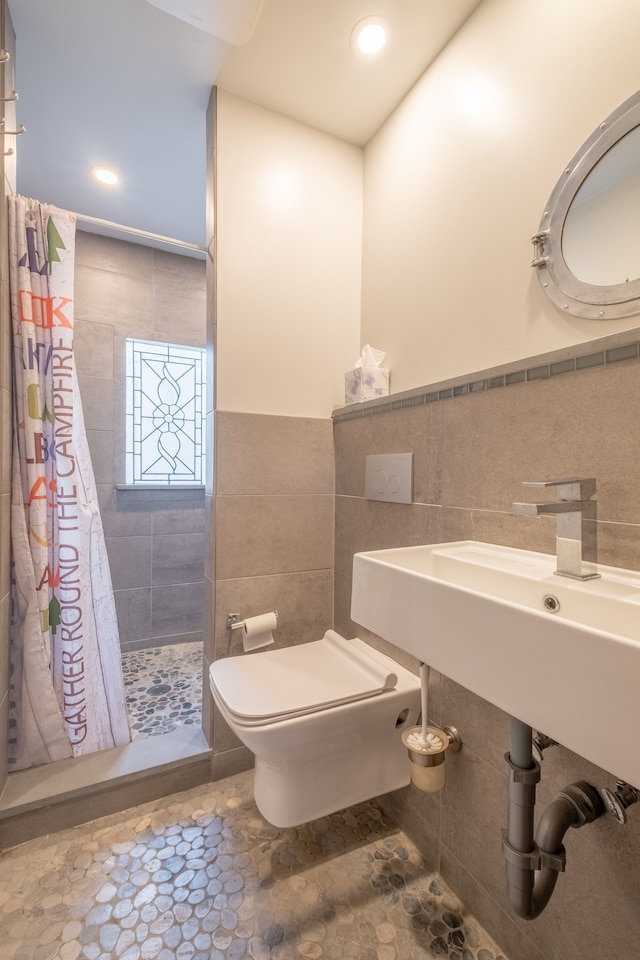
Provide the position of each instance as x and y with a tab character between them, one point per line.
273	520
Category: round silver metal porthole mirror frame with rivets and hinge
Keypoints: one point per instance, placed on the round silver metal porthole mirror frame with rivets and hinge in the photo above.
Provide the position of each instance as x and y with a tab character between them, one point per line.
563	288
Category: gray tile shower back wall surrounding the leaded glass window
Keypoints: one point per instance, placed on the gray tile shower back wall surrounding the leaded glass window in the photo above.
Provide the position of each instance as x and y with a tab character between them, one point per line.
155	538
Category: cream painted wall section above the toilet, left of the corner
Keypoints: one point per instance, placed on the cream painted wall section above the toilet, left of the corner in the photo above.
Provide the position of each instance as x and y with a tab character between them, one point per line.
289	231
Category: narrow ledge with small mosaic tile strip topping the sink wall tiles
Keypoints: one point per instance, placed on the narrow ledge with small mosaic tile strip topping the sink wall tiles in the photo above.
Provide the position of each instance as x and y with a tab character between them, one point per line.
576	358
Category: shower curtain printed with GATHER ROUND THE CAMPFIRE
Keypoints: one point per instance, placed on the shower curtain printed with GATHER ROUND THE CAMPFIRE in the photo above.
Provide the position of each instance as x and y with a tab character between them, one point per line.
67	690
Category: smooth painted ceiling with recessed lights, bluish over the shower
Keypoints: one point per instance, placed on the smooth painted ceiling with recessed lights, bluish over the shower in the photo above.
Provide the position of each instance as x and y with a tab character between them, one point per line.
125	84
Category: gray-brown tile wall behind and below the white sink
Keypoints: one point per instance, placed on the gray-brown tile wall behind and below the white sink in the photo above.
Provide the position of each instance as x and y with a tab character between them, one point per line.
470	455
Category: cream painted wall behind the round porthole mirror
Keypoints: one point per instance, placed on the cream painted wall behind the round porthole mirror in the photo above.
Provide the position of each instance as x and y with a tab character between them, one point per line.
456	181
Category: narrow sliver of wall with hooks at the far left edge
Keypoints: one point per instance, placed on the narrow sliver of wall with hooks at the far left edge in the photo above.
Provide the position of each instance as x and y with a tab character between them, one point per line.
8	187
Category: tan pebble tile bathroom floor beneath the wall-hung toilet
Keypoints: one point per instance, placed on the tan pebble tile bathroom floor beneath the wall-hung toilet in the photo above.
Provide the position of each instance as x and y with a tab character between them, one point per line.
201	876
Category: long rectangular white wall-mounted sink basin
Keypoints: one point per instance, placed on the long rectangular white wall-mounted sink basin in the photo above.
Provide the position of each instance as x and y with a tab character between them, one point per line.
476	612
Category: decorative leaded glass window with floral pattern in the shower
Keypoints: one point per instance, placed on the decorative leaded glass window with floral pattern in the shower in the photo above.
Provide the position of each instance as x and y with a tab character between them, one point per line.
165	432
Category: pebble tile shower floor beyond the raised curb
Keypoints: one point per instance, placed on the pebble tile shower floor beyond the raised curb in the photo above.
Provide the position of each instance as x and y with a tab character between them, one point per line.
163	687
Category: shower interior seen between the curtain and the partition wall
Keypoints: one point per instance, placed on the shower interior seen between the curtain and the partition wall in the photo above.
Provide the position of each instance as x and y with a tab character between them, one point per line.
128	292
